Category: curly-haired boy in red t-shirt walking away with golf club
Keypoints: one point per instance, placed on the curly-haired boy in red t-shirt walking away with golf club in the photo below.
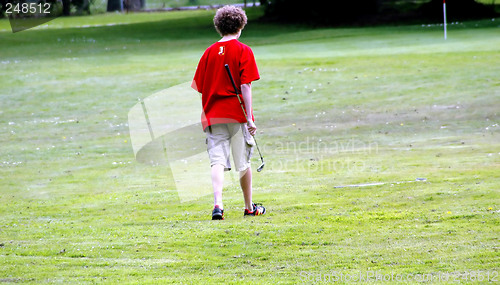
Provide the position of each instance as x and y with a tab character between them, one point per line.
223	120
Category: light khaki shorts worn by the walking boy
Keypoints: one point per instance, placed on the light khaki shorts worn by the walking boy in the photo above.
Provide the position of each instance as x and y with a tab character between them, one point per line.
234	136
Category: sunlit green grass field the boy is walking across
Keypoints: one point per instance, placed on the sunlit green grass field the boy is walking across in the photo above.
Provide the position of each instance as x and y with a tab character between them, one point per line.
335	107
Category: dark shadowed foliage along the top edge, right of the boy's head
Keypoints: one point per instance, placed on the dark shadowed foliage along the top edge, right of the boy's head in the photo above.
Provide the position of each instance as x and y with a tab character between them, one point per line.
327	12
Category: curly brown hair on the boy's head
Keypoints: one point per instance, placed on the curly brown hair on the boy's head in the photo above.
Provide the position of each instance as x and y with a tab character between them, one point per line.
229	20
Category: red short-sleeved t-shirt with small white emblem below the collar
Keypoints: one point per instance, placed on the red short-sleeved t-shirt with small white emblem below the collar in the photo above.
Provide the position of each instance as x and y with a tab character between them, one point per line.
219	101
